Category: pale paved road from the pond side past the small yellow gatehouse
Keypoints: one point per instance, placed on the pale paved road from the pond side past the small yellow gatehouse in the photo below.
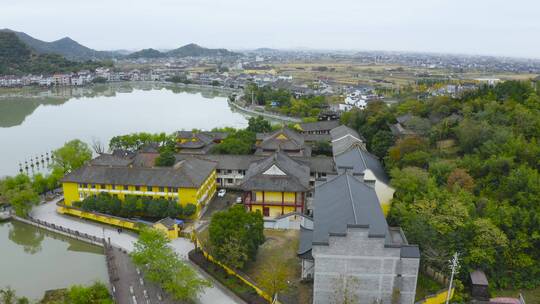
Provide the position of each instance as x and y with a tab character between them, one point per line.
125	240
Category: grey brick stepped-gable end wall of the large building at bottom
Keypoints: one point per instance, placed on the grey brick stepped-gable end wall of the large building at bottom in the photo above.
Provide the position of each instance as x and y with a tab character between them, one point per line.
375	266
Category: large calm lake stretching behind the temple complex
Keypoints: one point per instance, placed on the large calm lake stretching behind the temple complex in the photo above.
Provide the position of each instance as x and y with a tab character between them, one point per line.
33	122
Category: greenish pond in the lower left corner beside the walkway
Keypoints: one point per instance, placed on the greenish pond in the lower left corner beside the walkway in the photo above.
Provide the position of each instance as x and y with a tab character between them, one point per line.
33	261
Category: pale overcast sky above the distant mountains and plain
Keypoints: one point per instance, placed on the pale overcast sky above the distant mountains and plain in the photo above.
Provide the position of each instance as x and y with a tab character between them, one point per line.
492	27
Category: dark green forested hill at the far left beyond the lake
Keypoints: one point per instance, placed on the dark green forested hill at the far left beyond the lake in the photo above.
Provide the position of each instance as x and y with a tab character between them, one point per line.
17	58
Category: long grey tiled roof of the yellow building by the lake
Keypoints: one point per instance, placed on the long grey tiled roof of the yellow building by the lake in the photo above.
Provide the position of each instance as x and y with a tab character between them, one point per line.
189	173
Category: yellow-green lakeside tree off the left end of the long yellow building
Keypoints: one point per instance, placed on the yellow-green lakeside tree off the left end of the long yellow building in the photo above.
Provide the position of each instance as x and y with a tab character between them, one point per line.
73	155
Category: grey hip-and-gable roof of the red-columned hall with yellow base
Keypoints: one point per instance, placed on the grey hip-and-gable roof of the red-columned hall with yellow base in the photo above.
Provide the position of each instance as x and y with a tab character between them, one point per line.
296	178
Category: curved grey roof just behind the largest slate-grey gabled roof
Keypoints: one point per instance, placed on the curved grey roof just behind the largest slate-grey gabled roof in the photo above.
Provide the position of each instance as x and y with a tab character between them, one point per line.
360	160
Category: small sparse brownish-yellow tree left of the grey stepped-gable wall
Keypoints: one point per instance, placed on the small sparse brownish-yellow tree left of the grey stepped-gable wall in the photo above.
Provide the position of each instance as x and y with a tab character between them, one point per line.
274	279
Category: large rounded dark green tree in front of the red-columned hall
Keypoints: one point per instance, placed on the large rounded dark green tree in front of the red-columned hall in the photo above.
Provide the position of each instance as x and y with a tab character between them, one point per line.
238	226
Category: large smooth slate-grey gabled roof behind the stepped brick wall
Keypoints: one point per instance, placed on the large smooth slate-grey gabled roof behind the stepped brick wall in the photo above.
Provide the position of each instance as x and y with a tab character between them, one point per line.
346	201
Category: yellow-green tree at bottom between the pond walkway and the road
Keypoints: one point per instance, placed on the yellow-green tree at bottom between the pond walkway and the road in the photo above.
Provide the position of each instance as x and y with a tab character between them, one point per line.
161	265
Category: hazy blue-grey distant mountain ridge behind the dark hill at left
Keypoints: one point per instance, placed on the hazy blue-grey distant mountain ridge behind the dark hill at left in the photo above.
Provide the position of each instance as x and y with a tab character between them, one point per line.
66	47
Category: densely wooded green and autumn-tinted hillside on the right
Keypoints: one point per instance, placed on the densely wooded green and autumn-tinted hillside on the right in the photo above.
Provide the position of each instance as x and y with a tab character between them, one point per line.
469	180
